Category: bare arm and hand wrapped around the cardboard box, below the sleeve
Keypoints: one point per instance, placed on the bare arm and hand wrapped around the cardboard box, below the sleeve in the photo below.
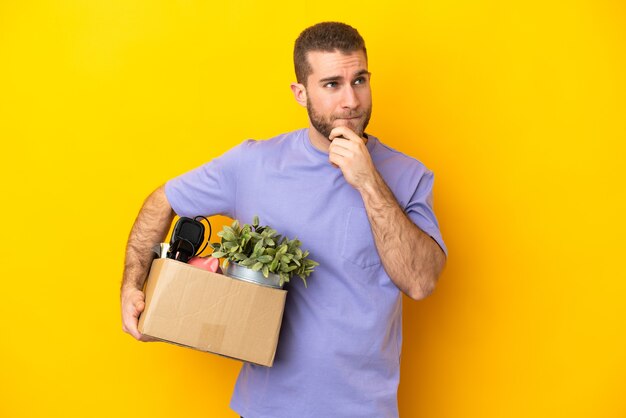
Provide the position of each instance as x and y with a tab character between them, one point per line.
151	225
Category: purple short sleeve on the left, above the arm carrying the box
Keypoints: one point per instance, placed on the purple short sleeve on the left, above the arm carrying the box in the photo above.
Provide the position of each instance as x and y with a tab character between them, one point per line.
208	190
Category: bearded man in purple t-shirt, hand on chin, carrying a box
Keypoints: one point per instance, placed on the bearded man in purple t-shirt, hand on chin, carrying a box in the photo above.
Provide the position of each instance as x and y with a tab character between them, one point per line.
363	210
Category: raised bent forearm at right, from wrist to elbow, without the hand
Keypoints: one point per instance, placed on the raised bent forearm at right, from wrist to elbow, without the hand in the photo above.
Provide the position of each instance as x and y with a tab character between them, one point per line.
411	258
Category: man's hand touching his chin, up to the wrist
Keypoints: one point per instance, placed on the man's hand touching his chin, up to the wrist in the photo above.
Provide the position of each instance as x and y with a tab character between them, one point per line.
348	152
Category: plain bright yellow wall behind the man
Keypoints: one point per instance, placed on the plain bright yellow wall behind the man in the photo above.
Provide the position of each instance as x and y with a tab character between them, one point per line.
519	107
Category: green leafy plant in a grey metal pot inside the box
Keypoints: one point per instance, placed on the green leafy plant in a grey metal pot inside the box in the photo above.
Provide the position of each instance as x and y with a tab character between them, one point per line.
258	254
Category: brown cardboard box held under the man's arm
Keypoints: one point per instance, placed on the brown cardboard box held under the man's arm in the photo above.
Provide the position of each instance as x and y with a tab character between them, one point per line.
192	307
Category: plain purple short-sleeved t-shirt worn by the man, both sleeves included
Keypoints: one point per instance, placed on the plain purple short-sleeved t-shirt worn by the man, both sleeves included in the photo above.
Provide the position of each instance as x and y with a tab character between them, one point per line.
339	349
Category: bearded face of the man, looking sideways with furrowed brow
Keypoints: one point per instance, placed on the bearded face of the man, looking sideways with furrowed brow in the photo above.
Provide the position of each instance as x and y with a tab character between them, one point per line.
338	91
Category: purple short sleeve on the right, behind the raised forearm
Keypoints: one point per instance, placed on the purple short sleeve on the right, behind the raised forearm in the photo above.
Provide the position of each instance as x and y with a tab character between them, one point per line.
420	209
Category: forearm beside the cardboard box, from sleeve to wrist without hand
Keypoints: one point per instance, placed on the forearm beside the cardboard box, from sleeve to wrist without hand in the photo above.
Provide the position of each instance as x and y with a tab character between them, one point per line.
152	223
